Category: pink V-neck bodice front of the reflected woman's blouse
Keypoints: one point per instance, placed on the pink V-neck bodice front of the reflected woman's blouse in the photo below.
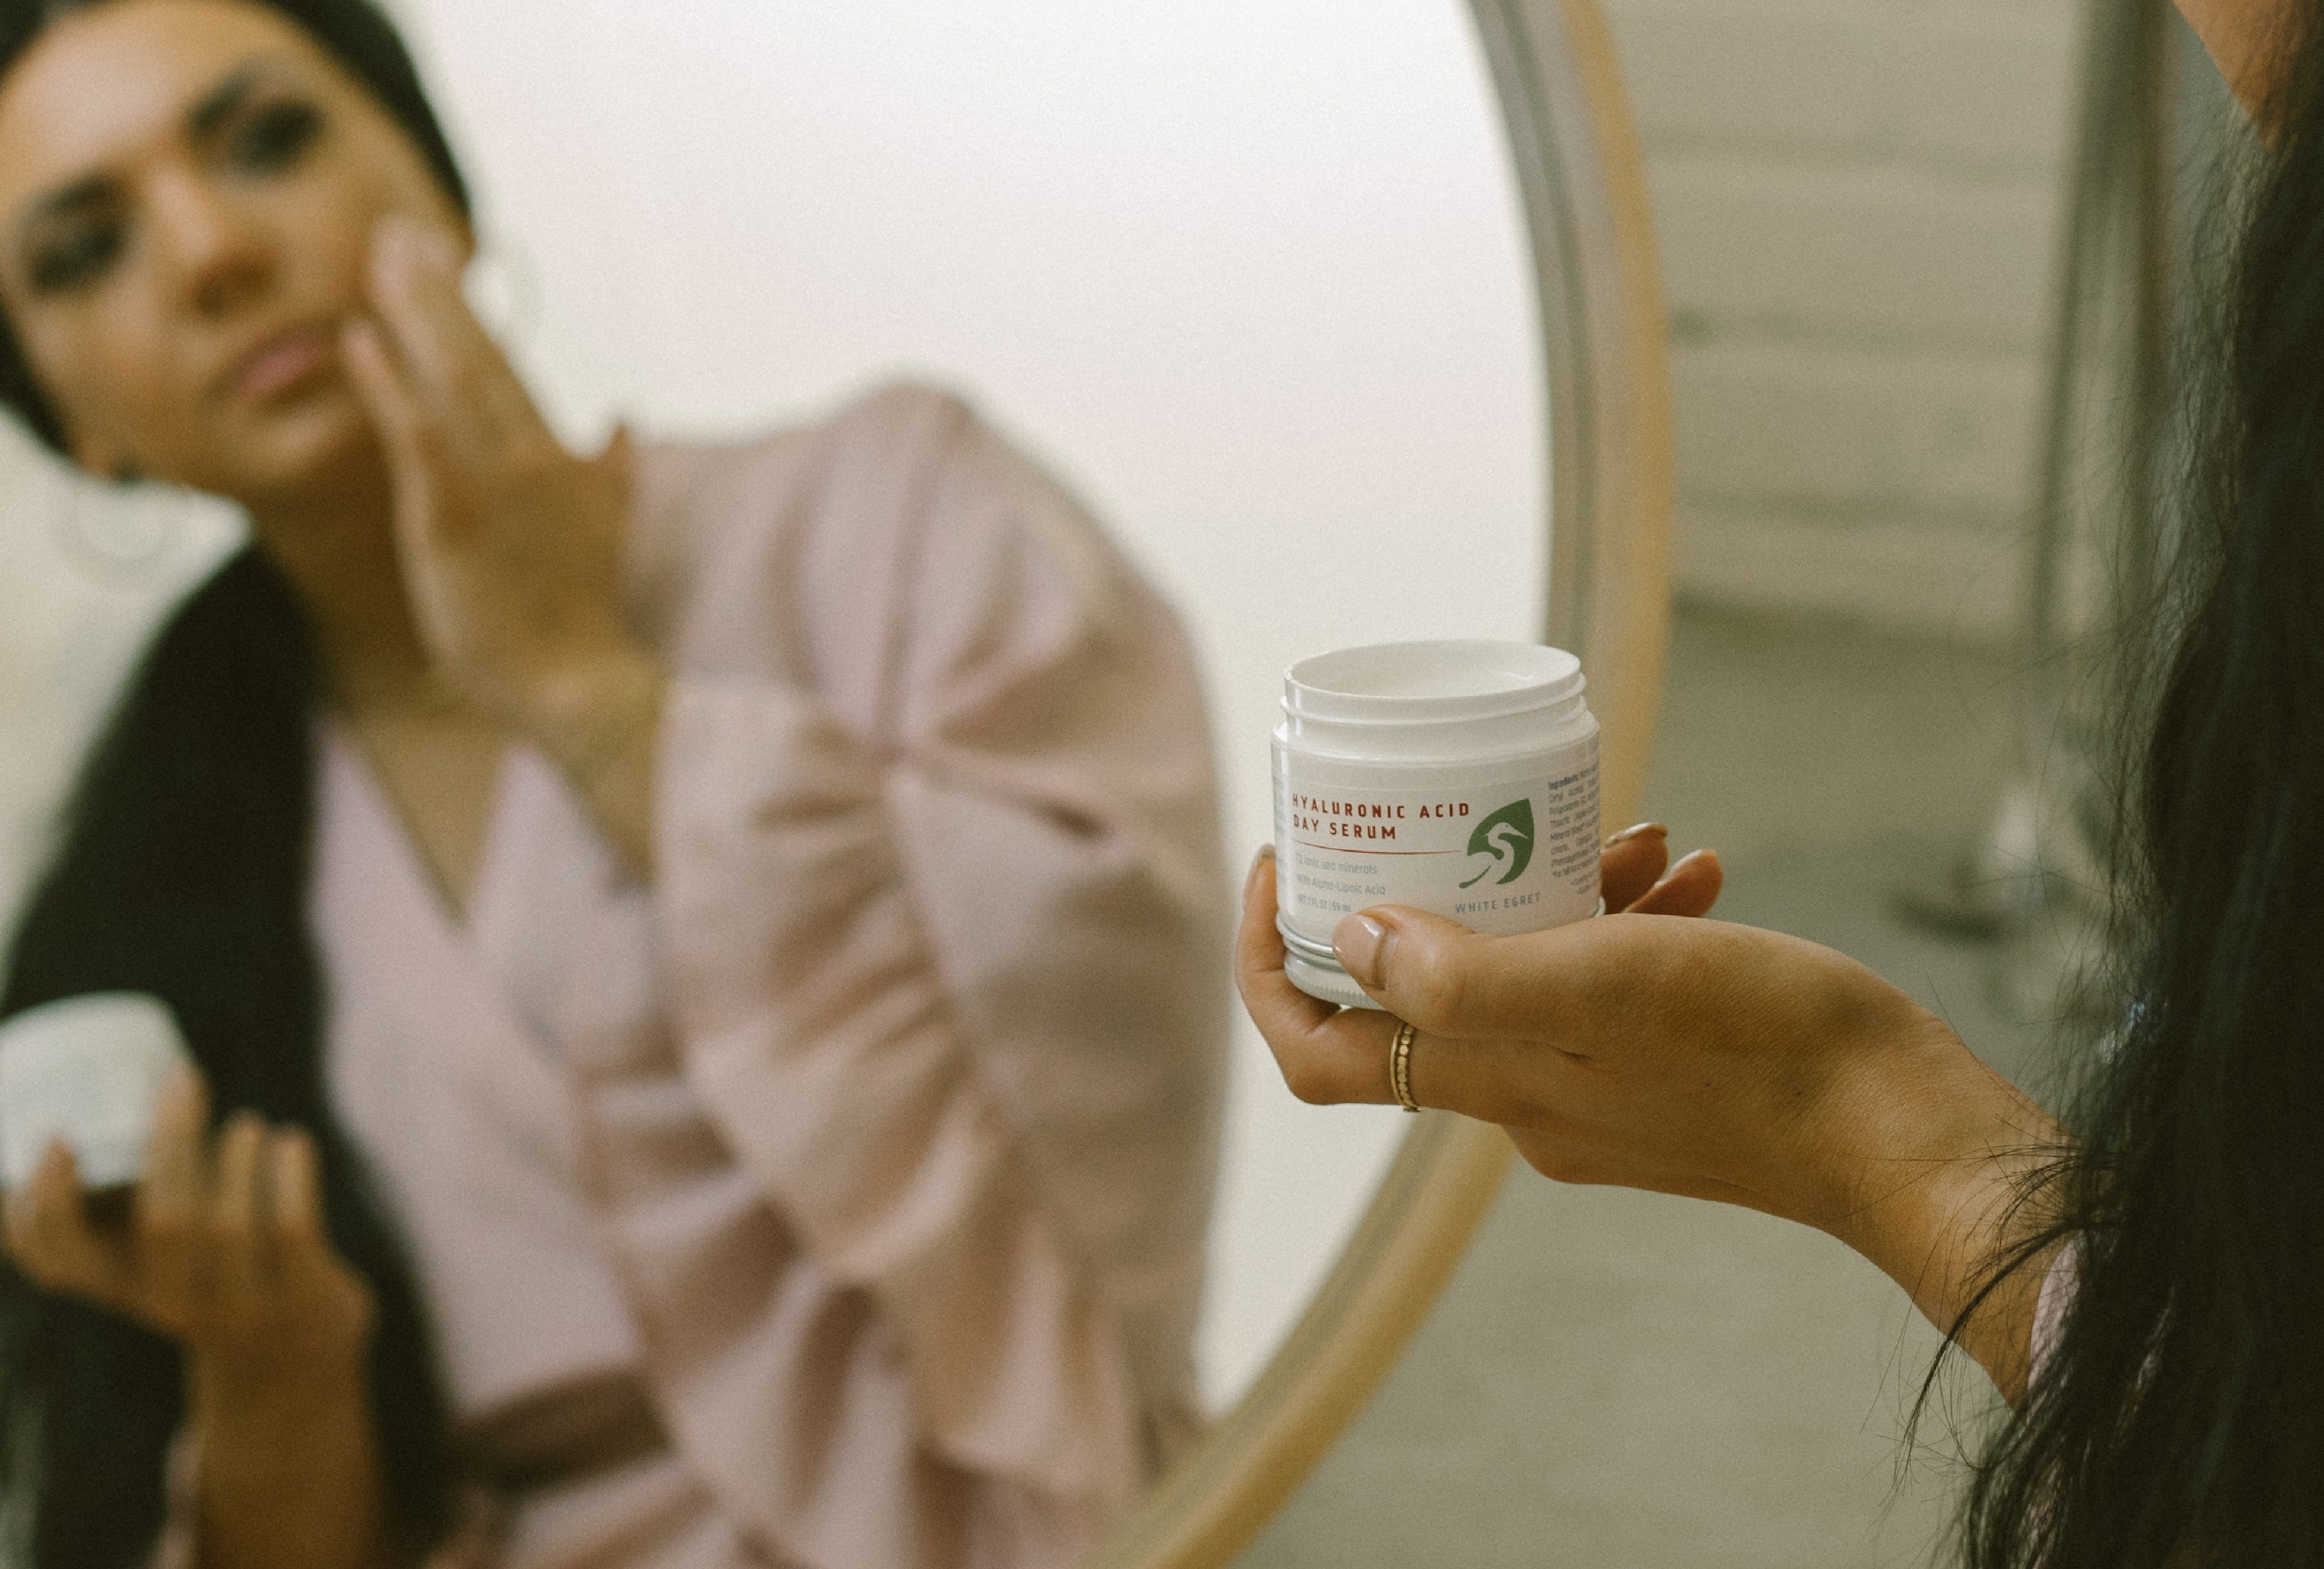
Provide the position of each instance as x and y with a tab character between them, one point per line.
454	1084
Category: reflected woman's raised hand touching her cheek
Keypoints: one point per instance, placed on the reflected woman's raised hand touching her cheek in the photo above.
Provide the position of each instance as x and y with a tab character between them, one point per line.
510	545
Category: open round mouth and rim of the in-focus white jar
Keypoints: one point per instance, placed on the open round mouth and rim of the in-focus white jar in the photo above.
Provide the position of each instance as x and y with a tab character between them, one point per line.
1430	682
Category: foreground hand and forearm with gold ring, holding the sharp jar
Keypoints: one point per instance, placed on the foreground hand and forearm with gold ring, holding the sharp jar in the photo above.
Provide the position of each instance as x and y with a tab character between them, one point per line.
1693	1056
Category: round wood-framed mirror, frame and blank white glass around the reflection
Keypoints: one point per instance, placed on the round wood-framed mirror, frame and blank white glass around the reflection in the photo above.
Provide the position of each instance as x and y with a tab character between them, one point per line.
1342	320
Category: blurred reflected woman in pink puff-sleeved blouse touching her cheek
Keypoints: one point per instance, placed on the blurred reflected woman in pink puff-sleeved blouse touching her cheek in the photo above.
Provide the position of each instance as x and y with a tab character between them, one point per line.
701	959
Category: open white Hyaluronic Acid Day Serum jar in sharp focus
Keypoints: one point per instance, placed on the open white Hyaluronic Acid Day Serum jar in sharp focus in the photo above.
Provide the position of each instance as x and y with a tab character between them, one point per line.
1456	778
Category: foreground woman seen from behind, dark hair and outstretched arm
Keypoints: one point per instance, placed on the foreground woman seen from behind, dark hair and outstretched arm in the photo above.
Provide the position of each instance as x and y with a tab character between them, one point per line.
2149	1289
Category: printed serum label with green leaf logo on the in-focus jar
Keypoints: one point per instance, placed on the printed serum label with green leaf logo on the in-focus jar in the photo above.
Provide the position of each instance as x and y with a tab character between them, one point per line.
1512	857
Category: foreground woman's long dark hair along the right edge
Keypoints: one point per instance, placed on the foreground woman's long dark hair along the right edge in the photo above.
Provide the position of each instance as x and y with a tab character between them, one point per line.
2181	1414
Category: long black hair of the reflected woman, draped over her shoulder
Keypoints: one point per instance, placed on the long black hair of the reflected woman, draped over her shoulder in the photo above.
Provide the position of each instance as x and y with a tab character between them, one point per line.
182	873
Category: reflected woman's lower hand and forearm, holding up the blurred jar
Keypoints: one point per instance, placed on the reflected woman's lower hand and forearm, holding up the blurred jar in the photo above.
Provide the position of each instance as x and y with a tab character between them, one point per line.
227	1254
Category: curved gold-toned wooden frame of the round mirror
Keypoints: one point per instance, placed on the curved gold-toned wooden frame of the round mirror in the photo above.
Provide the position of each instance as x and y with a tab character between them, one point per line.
1609	508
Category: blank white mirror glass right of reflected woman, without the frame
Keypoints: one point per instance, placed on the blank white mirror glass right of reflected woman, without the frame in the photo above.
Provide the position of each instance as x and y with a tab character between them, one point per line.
1251	280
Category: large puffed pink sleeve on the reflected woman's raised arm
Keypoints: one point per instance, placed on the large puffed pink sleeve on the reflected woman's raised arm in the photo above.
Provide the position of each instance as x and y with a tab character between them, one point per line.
942	910
